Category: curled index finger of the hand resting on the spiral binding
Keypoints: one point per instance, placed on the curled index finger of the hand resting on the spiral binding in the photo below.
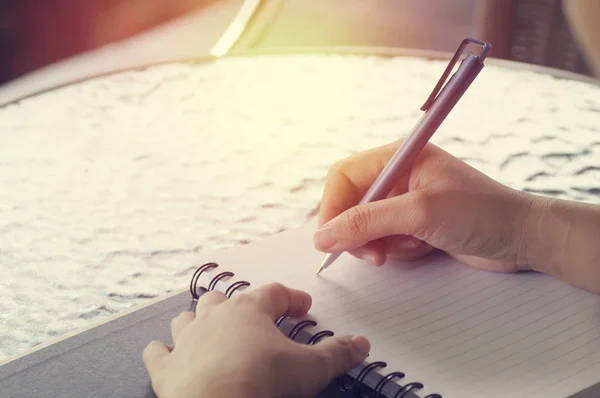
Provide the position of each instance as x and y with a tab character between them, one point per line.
278	300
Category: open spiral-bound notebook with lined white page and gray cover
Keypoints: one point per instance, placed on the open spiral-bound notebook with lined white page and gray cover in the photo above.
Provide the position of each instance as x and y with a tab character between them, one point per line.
437	327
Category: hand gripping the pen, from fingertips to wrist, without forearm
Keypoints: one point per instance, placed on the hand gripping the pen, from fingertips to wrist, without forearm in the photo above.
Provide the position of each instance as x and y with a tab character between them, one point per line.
441	203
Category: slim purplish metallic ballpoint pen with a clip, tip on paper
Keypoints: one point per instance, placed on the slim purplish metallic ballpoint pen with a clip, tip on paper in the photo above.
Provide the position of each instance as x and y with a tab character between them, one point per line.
437	107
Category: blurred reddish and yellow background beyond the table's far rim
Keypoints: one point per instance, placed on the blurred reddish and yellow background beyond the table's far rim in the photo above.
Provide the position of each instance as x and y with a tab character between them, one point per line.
35	34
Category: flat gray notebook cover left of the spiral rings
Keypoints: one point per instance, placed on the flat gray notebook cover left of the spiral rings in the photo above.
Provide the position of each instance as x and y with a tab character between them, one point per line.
106	361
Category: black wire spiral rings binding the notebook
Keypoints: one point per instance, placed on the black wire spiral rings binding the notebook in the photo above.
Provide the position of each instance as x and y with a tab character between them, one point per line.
357	385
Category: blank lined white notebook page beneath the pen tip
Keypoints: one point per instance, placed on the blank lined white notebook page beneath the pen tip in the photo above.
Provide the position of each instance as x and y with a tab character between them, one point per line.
459	331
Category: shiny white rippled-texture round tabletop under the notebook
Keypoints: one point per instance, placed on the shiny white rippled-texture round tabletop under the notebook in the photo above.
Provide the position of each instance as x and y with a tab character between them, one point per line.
110	187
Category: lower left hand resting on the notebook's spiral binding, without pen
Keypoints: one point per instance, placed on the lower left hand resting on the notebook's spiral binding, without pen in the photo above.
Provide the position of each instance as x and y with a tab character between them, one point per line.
232	348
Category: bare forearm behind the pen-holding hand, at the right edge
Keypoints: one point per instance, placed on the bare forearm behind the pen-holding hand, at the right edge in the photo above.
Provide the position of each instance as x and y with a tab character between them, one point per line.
562	238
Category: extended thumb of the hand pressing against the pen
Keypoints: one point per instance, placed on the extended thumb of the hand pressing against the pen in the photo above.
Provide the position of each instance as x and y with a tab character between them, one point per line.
399	215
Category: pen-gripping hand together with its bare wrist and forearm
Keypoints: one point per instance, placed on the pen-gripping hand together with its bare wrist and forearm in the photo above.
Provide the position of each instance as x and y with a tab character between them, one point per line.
443	203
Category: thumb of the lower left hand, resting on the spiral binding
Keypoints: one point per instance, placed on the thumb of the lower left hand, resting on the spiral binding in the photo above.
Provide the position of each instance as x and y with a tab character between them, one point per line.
335	356
